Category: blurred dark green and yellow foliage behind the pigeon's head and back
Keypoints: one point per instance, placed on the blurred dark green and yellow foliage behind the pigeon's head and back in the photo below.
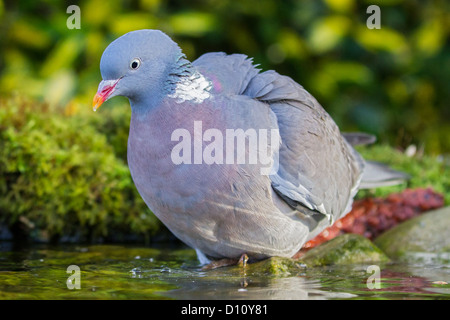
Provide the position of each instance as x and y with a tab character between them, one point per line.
393	82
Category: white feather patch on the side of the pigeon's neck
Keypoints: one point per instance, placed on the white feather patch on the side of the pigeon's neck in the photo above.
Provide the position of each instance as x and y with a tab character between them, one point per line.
194	88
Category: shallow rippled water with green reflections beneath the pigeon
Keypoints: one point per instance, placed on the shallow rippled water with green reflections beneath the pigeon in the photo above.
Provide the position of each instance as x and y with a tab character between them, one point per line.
127	272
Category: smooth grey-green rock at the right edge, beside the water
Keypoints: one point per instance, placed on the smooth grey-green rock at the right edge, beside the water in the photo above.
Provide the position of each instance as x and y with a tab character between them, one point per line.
422	239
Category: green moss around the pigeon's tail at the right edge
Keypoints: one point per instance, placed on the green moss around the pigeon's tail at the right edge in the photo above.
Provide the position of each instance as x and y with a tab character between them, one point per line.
424	170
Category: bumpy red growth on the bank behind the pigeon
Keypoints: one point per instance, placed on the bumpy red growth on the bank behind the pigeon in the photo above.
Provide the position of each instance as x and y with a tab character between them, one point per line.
372	216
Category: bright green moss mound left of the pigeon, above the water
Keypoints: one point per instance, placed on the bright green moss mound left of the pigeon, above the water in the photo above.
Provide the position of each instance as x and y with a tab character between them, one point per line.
60	177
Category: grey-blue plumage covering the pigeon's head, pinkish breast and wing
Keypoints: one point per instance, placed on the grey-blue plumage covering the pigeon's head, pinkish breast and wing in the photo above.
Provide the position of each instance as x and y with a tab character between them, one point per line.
225	210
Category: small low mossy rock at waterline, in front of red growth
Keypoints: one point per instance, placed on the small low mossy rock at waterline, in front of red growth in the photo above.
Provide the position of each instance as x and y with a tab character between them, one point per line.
345	249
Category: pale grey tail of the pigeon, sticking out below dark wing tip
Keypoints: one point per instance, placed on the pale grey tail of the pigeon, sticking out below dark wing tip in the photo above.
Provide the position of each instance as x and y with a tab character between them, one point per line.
379	175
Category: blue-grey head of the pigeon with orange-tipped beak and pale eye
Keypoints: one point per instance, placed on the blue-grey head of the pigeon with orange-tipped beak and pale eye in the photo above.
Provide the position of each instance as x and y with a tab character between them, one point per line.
136	65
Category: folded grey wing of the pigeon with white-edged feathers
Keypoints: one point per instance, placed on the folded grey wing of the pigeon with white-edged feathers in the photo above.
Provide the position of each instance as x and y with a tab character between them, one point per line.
318	169
